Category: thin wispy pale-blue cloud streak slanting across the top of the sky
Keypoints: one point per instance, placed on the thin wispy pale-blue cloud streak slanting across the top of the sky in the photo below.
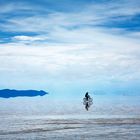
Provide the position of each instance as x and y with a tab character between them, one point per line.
89	16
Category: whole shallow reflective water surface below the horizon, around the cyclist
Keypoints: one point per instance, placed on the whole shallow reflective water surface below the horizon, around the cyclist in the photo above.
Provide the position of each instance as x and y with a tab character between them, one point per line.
41	118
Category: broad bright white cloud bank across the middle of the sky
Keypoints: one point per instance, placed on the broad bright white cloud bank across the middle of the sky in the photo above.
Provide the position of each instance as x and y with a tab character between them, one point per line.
113	60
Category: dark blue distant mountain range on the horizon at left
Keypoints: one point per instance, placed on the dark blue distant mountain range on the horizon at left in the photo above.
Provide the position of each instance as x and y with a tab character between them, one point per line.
7	93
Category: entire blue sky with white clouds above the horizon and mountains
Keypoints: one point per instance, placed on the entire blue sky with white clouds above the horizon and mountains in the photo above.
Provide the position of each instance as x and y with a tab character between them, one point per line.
68	47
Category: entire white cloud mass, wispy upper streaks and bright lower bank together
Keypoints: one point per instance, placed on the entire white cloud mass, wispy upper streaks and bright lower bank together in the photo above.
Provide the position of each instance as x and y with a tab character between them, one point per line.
78	49
